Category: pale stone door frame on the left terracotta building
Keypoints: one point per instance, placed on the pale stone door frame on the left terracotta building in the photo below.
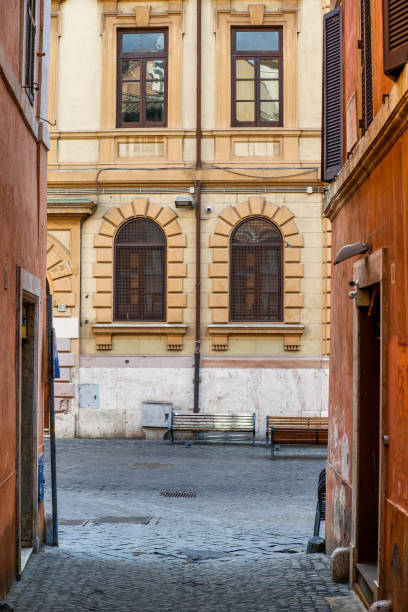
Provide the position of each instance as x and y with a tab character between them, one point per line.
28	290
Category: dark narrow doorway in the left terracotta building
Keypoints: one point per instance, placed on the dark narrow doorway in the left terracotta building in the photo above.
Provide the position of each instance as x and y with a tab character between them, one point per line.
28	427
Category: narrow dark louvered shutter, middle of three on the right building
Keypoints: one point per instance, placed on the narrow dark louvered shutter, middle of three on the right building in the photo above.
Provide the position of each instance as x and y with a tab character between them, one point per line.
366	65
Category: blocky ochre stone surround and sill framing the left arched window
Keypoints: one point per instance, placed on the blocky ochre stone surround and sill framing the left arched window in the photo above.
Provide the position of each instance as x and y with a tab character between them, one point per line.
176	272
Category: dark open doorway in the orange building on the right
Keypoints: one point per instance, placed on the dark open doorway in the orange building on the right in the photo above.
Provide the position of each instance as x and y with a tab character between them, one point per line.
369	393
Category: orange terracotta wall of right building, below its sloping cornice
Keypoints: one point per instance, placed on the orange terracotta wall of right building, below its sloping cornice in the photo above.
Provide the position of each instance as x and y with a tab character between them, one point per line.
377	212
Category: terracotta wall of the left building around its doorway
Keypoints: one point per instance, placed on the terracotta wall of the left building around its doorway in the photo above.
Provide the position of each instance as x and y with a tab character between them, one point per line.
22	243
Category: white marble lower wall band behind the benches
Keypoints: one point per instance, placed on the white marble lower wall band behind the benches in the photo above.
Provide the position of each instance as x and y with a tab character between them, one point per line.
121	391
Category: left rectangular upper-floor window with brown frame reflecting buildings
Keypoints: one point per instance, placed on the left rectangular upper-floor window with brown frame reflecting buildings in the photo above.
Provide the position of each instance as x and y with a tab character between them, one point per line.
142	78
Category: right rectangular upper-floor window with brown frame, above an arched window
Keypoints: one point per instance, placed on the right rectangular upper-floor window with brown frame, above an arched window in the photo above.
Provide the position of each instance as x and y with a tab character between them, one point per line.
257	85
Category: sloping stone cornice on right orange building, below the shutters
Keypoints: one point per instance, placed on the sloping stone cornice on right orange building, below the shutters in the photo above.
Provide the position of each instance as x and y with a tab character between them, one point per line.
388	125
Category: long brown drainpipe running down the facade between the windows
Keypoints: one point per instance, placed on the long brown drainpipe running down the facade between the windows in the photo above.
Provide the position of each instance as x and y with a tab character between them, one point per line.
197	352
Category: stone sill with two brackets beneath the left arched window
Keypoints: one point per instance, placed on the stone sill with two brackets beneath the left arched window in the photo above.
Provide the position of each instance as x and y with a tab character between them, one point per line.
105	331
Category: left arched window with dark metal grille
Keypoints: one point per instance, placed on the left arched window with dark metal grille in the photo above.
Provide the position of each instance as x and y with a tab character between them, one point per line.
140	267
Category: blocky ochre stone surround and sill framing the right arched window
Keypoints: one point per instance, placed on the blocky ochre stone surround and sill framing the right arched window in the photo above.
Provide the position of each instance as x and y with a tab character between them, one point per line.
282	217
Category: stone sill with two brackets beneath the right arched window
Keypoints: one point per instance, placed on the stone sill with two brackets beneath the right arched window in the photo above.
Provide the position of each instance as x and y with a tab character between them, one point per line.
290	332
